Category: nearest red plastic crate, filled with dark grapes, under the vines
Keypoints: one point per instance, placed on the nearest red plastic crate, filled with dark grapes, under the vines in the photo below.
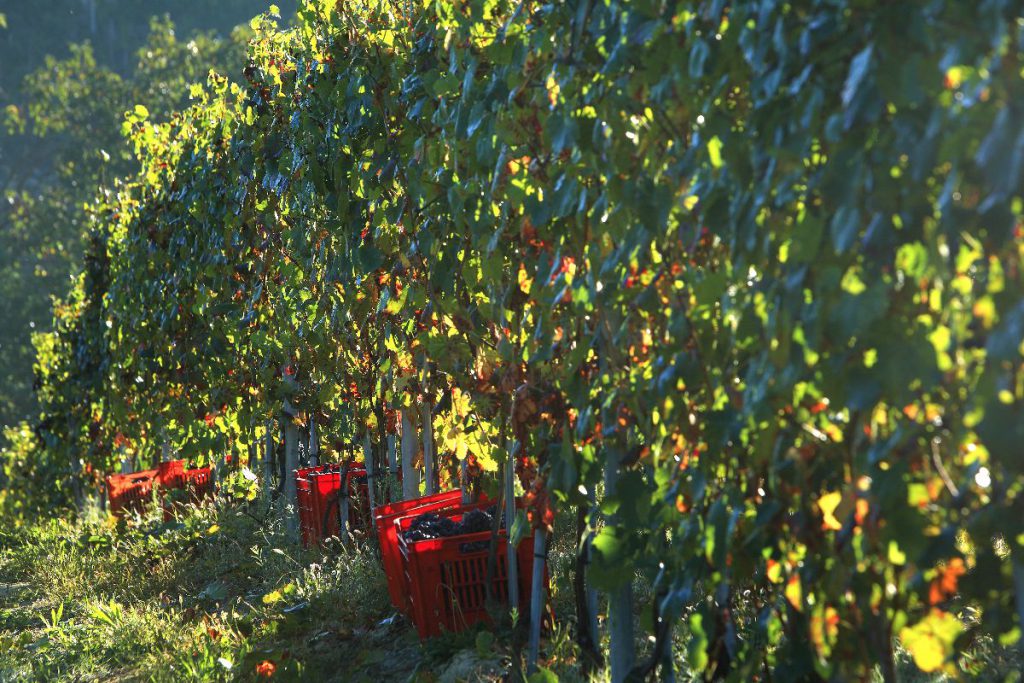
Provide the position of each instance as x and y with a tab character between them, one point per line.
448	584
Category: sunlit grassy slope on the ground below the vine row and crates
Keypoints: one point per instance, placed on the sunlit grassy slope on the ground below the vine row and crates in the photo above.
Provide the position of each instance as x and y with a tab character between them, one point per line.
218	593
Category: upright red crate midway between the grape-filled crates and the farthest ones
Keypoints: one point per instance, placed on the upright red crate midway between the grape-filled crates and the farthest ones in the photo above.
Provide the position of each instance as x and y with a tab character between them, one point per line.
317	490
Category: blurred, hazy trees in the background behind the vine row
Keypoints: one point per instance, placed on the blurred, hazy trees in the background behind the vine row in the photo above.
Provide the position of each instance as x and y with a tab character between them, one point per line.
69	71
